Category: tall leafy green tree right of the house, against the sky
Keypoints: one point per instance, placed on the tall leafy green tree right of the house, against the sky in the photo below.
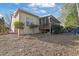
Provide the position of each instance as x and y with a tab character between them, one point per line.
69	15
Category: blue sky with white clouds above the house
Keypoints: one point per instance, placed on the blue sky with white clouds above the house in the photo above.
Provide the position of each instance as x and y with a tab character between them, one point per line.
39	9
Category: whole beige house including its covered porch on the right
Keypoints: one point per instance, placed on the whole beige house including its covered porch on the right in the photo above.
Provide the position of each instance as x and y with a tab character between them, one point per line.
32	23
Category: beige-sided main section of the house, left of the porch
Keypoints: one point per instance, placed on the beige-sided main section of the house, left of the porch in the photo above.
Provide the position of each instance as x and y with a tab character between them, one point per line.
28	19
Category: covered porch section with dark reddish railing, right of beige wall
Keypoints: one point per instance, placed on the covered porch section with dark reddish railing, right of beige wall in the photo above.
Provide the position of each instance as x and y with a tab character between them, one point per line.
46	22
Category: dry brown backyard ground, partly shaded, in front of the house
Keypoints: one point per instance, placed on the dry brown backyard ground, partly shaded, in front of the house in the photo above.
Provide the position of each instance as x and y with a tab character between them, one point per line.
39	44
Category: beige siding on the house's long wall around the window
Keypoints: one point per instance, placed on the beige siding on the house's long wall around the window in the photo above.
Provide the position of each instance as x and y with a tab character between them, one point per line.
23	17
